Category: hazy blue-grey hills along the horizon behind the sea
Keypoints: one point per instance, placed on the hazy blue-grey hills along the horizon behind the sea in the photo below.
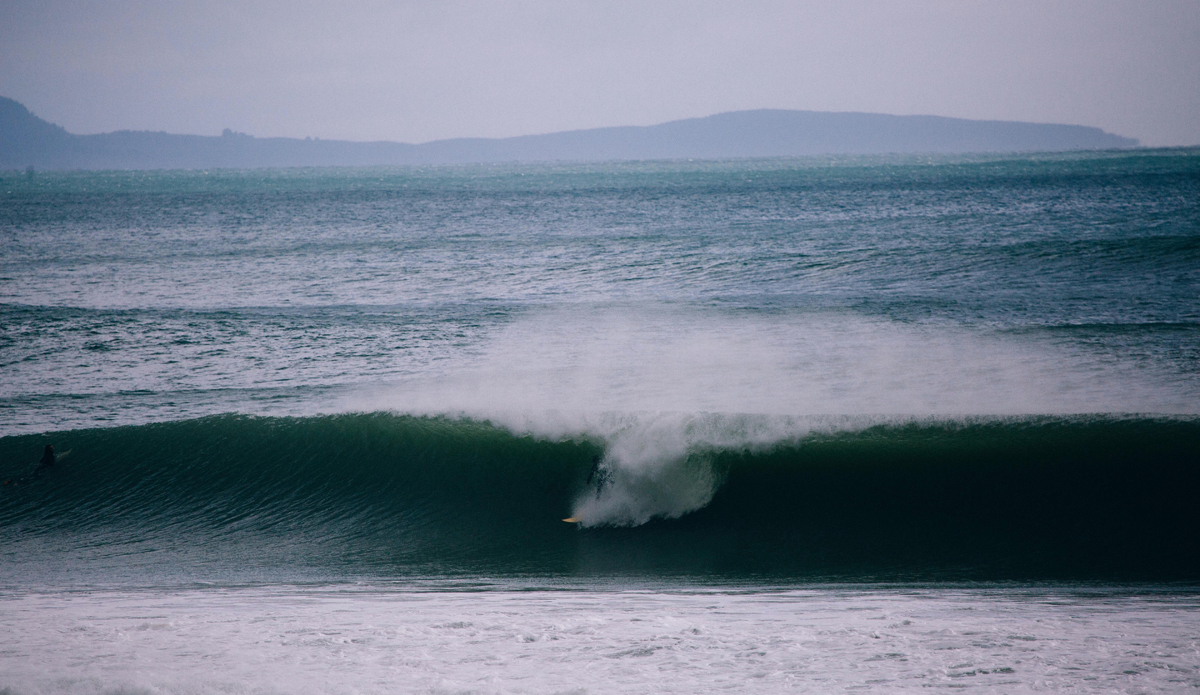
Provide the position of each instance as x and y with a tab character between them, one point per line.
29	141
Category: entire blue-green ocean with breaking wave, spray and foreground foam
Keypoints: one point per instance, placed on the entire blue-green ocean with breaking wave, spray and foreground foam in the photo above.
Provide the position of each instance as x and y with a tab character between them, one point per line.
823	424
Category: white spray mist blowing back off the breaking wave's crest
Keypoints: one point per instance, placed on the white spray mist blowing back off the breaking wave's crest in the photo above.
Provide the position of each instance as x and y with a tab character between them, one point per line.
784	363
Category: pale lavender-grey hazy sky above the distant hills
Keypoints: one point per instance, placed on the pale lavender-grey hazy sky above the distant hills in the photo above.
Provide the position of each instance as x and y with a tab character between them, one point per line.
424	70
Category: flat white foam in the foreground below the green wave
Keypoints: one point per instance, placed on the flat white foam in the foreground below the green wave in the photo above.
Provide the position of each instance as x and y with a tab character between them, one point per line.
367	642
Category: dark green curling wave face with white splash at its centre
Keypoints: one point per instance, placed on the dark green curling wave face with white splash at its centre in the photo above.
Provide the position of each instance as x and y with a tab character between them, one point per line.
386	495
